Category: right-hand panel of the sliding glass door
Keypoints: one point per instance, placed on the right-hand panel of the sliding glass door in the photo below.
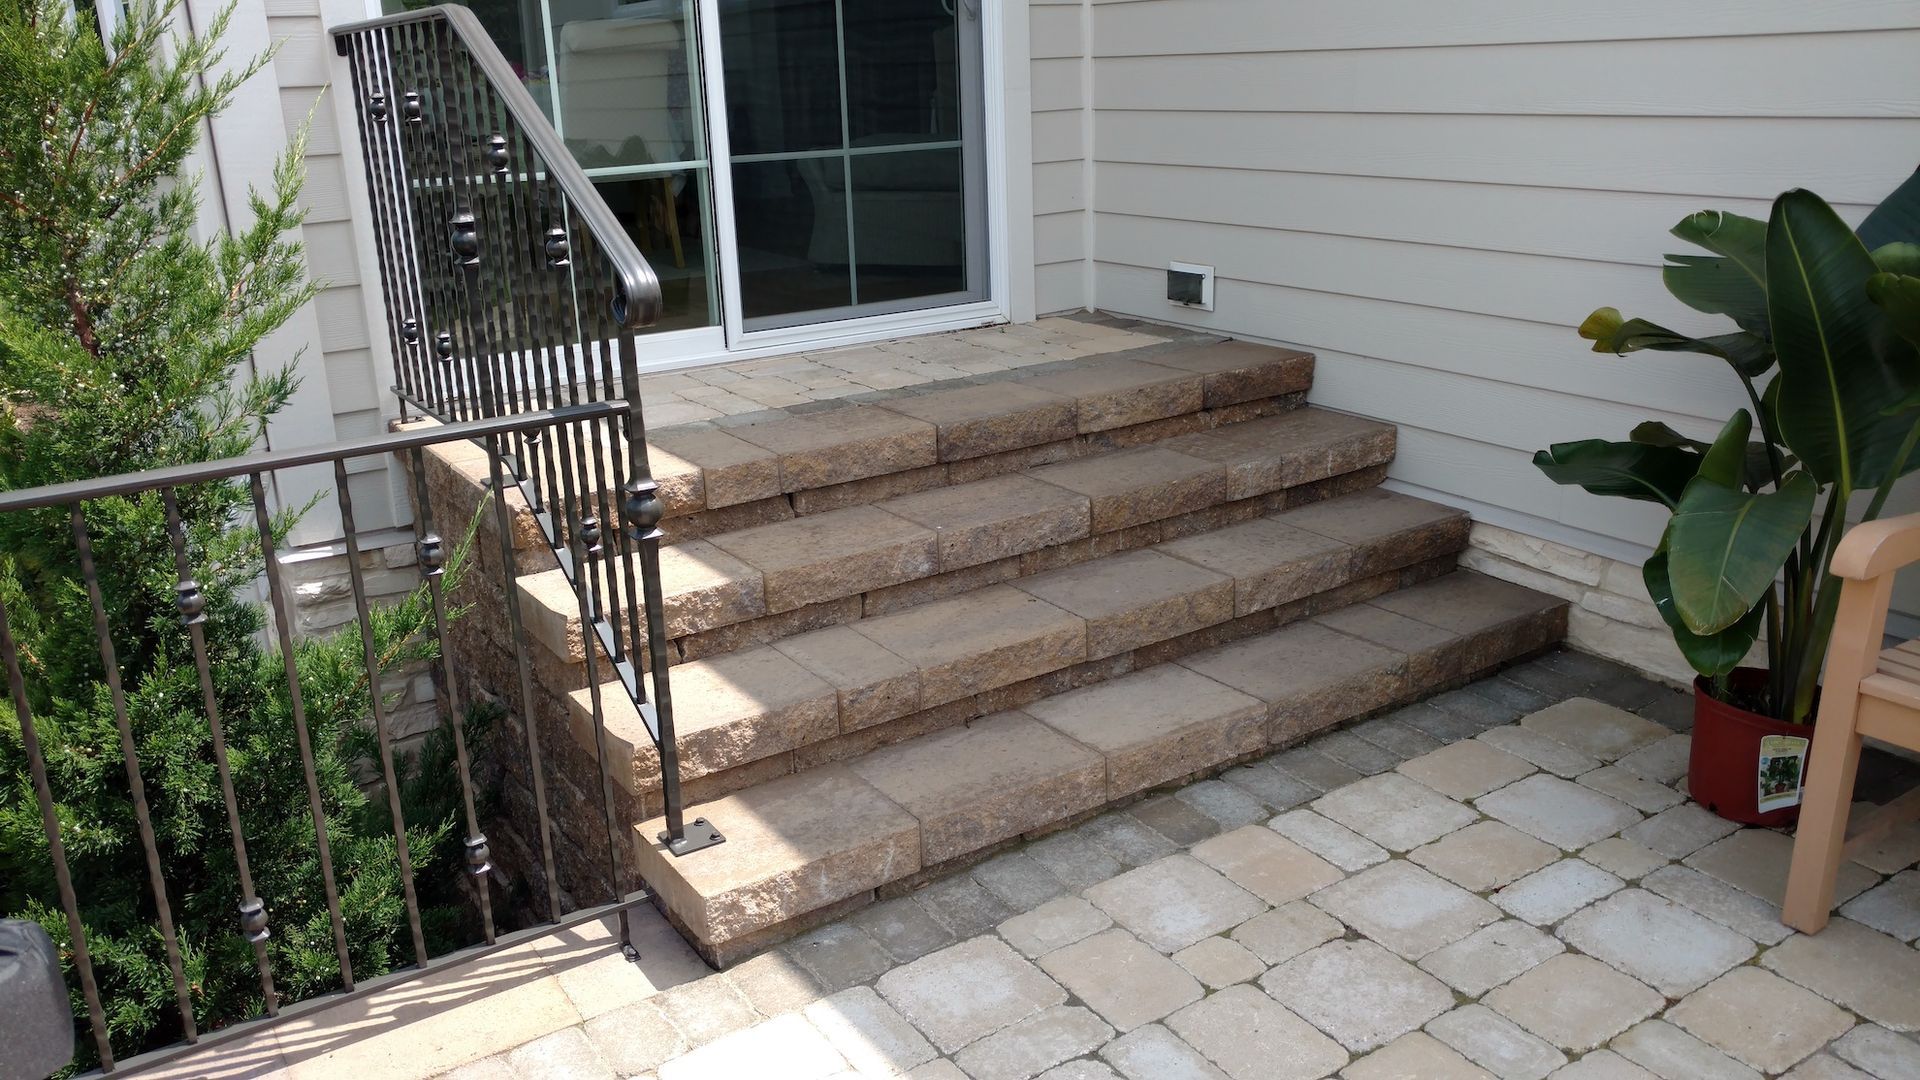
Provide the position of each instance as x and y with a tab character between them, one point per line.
853	151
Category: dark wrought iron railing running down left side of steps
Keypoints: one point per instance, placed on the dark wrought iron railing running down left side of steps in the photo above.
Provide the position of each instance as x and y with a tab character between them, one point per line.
510	285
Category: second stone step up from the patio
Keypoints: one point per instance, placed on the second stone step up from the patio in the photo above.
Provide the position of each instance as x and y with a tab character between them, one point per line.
759	702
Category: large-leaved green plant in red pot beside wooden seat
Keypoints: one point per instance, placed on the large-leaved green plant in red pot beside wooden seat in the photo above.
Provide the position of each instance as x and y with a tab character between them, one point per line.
1825	345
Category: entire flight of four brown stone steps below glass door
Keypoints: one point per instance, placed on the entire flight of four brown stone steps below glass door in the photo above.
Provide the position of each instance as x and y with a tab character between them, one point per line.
915	629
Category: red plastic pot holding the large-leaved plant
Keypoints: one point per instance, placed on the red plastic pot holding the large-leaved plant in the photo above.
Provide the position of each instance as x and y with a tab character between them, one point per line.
1725	770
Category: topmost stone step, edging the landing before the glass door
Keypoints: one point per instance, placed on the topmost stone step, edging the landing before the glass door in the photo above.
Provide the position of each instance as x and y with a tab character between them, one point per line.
717	468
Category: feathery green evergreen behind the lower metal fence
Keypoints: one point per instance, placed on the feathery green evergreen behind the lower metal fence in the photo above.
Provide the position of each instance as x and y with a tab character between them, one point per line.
126	345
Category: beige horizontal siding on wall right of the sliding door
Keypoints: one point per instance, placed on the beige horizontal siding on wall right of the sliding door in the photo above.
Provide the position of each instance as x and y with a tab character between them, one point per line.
1433	195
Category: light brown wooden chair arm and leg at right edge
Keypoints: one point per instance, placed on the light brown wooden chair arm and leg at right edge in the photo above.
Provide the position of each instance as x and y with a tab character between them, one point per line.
1867	693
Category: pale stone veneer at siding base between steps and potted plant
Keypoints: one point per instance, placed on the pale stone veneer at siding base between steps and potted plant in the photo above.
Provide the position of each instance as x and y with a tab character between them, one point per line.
1610	616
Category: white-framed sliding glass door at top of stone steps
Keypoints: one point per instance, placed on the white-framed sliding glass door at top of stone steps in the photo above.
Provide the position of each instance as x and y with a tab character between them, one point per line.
850	134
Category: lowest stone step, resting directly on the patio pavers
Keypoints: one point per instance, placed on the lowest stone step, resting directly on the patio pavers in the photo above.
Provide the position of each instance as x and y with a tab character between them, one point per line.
1020	772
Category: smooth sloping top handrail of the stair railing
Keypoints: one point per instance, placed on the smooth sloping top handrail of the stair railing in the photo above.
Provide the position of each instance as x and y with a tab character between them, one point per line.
638	289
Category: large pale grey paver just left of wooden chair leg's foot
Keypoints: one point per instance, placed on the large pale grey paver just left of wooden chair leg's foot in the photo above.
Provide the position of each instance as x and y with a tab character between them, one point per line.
1656	941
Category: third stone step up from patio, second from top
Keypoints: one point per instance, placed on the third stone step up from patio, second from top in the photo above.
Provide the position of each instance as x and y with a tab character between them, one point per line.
761	585
